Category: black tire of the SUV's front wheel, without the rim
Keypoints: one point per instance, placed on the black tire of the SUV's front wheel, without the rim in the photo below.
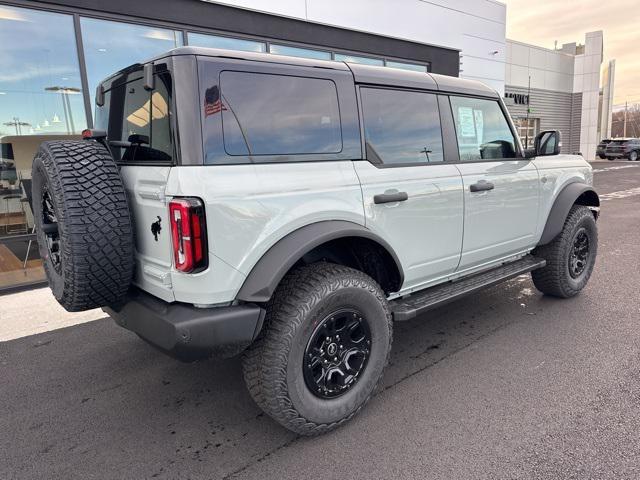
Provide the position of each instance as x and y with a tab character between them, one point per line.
555	278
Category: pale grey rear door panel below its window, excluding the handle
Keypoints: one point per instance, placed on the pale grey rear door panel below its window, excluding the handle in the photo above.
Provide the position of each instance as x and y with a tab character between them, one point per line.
425	230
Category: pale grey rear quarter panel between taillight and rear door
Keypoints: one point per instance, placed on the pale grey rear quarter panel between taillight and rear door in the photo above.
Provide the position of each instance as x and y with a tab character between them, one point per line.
250	207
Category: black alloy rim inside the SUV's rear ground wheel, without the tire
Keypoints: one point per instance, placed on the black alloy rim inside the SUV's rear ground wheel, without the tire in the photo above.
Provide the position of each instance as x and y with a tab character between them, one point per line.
337	353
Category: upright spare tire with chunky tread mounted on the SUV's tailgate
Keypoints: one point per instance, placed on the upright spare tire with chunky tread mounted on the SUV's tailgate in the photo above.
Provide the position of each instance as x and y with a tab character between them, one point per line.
83	223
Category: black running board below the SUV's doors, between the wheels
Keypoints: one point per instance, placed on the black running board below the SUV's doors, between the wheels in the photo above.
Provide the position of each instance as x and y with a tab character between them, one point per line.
413	305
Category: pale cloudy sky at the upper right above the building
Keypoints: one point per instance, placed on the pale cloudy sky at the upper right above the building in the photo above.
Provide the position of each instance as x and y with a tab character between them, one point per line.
541	22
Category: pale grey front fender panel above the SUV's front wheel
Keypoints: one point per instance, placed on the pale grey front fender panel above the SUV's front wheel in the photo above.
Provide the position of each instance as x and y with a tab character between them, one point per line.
556	172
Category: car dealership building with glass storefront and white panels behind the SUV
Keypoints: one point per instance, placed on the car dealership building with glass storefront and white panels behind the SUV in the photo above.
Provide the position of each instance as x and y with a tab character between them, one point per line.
55	52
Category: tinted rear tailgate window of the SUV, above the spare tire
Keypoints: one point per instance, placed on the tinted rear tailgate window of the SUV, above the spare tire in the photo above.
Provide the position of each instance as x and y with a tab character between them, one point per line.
140	120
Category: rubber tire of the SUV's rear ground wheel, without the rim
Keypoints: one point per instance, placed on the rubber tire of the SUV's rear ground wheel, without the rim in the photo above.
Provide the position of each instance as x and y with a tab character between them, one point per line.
273	364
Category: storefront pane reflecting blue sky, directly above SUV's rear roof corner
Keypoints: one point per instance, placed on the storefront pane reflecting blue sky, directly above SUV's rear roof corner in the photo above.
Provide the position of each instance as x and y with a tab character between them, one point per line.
111	46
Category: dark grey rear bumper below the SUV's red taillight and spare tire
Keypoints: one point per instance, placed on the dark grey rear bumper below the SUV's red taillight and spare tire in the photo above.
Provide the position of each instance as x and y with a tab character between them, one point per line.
186	332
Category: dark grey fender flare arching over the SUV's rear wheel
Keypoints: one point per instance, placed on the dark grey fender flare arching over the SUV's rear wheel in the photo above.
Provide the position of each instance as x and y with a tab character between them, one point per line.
265	276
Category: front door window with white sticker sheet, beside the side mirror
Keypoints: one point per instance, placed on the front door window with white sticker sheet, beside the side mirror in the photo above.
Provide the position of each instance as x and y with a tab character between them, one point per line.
482	130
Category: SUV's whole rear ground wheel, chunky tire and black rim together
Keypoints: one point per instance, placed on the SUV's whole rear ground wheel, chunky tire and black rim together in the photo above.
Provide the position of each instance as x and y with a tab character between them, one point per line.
323	349
